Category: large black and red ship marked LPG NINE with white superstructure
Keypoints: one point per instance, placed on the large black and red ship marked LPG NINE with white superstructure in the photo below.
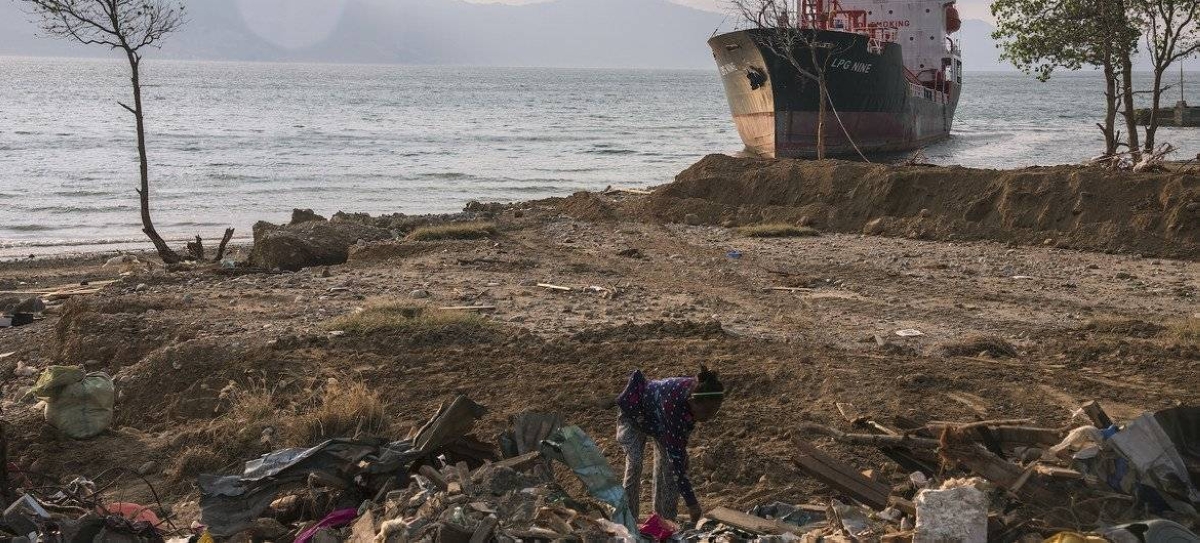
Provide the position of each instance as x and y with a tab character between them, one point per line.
892	69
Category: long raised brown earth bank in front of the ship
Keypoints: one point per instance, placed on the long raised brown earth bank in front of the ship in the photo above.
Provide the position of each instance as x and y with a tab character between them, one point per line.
1067	206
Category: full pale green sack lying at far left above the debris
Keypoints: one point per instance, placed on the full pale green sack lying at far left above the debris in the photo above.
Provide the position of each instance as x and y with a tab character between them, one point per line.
83	409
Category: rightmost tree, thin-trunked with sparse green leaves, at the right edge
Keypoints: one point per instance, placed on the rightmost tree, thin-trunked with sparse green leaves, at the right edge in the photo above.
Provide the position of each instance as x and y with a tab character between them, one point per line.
1173	33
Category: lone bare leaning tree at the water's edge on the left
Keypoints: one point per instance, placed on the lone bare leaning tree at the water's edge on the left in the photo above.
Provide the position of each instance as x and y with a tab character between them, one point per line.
128	27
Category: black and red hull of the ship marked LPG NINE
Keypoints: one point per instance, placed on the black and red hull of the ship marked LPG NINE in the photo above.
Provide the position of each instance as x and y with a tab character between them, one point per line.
874	100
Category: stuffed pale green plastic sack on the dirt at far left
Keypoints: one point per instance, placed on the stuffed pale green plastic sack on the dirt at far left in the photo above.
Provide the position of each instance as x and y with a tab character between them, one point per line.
81	405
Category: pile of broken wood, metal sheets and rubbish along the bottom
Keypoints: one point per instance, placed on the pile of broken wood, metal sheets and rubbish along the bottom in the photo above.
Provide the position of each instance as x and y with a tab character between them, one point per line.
963	482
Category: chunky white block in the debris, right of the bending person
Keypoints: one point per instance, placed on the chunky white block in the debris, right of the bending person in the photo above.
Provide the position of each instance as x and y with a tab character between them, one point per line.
958	512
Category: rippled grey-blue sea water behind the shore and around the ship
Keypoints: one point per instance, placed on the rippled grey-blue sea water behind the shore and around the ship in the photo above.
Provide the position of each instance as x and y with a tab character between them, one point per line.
235	144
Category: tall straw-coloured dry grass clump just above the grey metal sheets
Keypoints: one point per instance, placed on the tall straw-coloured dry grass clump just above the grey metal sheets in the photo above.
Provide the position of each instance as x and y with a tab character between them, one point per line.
345	411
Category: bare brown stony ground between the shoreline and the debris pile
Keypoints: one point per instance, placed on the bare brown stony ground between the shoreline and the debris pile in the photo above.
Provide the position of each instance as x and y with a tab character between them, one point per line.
1085	326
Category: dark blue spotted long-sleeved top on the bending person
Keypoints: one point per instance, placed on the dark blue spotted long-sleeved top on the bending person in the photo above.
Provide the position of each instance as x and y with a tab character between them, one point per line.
659	409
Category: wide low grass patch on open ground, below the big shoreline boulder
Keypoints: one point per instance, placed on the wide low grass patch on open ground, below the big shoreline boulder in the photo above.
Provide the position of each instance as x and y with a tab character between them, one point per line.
409	320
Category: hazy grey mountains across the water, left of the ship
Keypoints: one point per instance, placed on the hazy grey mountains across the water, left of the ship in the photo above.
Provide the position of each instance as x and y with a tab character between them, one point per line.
560	34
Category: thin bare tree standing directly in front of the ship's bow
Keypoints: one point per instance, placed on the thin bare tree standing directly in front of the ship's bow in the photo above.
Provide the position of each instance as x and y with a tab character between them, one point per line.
793	37
